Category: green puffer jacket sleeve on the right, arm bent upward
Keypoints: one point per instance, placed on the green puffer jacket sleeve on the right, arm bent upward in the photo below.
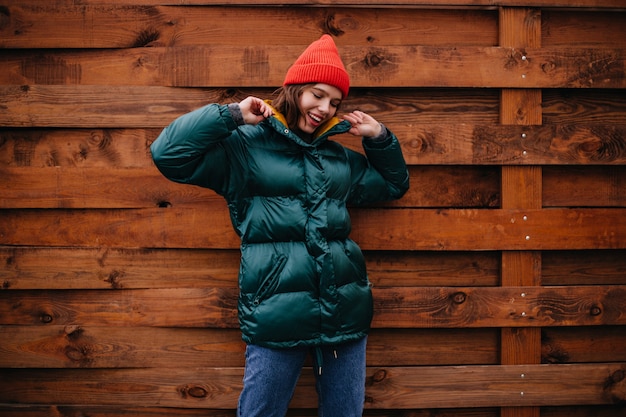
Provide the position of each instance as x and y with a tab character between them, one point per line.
382	175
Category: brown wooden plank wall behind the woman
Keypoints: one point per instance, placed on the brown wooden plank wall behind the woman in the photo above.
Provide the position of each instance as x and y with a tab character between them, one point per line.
500	279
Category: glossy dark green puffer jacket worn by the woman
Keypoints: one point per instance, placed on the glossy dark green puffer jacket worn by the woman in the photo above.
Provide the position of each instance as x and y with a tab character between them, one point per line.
302	280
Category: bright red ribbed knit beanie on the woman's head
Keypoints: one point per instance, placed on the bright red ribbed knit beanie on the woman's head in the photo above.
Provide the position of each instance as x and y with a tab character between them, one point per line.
320	63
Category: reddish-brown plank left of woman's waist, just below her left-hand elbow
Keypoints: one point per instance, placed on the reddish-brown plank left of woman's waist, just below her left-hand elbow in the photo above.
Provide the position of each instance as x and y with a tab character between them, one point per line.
133	228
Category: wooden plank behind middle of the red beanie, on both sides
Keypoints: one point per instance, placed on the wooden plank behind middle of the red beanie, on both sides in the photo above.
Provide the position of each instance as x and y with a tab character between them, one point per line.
369	66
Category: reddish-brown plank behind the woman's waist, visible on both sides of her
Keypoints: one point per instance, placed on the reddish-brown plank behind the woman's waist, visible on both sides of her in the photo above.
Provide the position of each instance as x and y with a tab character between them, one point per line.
373	228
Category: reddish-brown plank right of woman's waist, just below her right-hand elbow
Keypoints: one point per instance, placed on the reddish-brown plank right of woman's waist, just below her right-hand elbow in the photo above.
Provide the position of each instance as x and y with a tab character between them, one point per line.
533	229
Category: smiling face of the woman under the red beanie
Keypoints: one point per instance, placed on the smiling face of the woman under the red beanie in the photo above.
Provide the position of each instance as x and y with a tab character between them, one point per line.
318	103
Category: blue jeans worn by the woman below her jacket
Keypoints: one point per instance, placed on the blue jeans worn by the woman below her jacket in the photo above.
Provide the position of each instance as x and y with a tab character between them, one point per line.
271	375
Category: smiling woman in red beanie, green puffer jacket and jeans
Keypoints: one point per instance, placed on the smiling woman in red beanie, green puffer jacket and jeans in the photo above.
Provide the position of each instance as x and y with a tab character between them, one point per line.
302	280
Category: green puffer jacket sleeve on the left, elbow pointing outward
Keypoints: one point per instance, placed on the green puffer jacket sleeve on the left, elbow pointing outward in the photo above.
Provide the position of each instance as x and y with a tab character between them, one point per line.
191	149
